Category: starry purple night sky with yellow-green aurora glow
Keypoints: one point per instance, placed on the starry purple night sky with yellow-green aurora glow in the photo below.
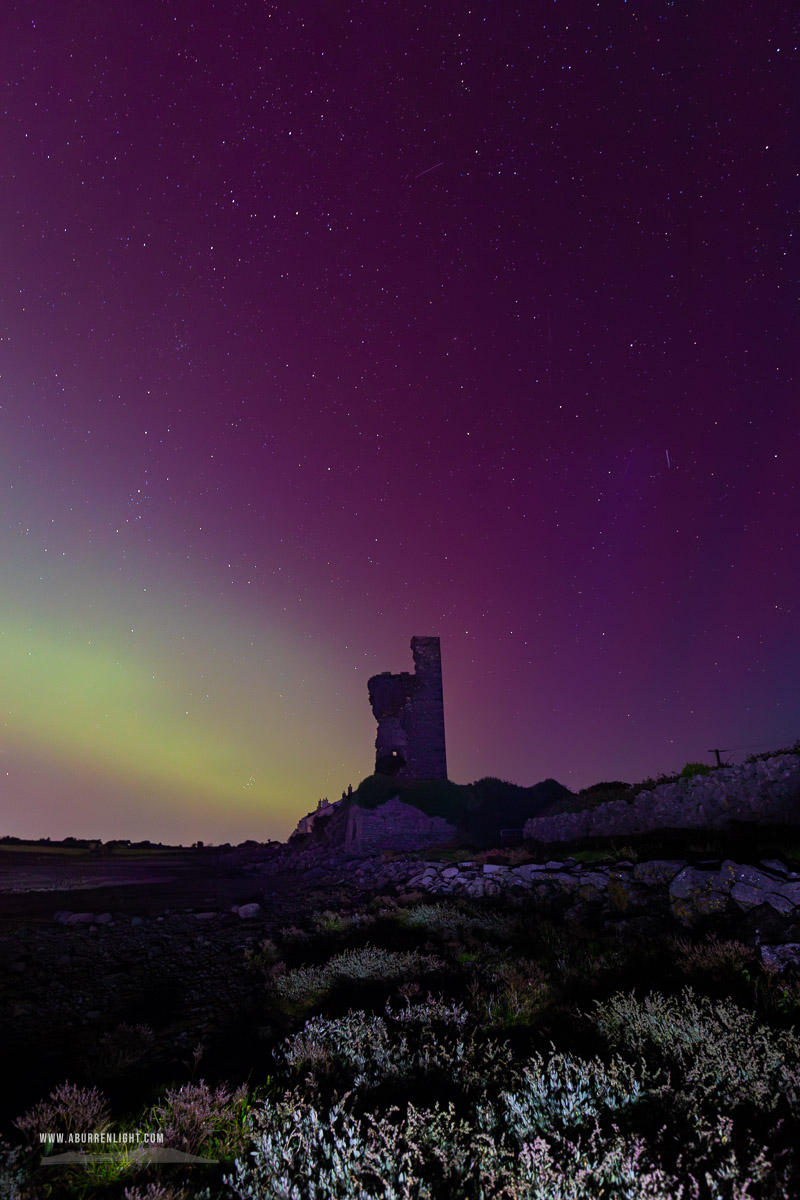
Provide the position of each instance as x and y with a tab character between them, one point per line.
326	325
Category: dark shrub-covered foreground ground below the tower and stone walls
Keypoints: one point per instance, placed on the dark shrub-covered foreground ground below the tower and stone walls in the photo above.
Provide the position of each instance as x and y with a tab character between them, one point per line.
497	1048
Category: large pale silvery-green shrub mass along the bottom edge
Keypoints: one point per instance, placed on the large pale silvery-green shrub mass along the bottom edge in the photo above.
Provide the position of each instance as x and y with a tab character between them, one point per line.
304	1154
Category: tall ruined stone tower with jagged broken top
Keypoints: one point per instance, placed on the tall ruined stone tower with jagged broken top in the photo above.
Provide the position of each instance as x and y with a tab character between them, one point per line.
411	715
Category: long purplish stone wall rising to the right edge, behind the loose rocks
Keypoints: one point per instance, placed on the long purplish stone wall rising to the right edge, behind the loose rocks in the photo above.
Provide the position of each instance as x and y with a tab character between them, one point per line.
765	793
